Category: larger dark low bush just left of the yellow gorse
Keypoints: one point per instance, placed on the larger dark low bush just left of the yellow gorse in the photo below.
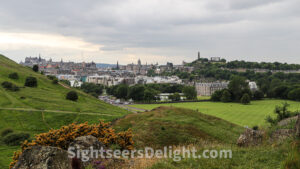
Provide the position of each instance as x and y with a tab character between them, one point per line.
14	139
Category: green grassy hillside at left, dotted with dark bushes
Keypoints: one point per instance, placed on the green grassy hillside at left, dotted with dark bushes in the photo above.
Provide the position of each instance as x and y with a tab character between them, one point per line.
46	96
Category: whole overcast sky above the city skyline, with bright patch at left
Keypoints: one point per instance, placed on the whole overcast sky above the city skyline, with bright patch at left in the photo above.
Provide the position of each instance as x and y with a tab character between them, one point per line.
153	30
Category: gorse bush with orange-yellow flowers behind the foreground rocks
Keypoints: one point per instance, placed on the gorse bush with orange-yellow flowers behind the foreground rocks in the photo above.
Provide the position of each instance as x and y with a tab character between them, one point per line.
62	137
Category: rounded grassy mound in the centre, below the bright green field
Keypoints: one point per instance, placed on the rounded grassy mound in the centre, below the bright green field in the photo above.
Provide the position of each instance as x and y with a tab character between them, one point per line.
175	126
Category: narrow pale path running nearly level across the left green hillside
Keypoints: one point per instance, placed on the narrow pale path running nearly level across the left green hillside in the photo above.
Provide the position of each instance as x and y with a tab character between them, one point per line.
54	111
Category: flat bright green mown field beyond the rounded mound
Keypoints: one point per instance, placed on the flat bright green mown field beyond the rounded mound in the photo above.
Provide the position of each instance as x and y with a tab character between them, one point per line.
244	115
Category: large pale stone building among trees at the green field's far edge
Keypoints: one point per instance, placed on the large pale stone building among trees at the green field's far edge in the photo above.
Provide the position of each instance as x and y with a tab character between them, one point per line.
207	89
